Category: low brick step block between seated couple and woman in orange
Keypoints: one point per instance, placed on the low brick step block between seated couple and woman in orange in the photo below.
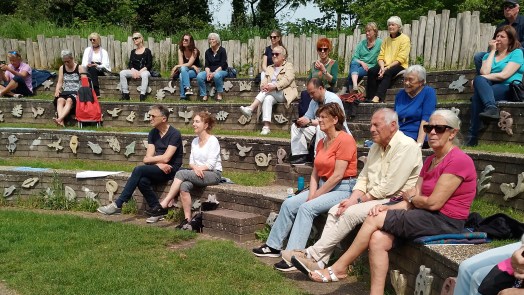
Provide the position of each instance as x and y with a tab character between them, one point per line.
231	224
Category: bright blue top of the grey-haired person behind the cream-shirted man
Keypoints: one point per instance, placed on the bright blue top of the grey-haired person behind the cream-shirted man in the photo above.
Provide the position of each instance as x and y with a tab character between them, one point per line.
411	111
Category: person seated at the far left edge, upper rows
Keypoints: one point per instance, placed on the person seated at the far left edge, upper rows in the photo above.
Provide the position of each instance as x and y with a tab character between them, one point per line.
15	77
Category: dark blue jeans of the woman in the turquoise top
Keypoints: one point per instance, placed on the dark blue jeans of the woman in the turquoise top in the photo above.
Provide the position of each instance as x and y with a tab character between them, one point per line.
486	94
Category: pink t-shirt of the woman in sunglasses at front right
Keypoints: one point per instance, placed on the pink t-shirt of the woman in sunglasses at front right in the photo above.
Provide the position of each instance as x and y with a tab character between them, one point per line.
456	162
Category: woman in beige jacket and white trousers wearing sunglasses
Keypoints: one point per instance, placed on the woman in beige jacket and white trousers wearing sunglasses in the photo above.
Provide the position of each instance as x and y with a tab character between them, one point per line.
278	85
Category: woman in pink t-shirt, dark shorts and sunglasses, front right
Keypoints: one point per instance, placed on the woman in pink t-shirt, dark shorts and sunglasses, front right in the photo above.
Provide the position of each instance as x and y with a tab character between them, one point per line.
439	204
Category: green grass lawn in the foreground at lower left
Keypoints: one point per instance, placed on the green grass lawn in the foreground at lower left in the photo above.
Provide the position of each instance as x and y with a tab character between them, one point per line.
62	254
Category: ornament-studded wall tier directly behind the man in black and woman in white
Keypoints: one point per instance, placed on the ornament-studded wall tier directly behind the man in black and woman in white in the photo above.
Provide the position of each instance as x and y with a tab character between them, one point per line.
35	144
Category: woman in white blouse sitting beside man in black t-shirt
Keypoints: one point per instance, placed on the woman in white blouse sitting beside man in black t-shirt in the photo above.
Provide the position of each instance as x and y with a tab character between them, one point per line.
205	164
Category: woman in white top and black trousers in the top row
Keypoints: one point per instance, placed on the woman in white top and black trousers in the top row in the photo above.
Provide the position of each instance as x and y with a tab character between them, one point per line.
96	60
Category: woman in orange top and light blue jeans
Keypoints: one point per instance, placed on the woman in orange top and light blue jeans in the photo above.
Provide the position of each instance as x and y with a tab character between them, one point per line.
332	180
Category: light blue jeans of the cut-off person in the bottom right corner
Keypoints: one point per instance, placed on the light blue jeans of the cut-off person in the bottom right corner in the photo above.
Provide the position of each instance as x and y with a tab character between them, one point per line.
473	270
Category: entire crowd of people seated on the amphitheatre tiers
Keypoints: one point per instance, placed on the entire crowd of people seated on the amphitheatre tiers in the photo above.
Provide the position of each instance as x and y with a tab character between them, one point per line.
395	198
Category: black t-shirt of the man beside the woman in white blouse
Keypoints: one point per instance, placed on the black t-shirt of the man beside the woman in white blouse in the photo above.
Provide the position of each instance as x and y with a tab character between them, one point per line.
172	137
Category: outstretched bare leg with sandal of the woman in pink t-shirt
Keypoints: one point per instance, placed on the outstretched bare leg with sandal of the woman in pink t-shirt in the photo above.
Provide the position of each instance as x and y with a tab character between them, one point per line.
359	245
